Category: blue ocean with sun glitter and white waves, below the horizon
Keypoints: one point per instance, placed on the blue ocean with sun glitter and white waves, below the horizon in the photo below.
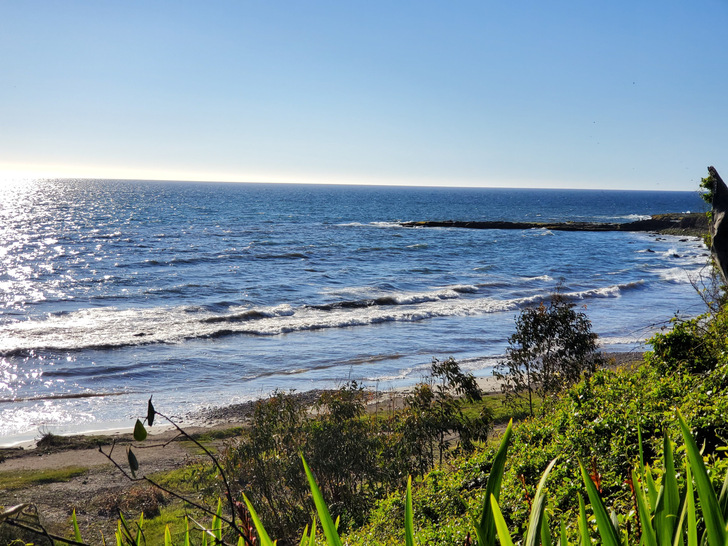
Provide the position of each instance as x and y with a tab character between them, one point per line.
206	294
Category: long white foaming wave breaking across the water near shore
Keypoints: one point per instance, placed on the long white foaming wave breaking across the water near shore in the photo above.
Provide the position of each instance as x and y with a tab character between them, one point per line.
108	328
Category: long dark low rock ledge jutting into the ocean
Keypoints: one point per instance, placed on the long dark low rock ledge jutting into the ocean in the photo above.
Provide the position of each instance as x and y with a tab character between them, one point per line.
674	224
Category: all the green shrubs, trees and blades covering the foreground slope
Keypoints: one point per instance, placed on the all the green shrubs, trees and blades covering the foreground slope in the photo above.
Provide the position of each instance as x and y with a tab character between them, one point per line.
613	455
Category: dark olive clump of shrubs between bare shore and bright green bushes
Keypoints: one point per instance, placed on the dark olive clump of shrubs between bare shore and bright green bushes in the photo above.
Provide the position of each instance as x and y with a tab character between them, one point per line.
359	455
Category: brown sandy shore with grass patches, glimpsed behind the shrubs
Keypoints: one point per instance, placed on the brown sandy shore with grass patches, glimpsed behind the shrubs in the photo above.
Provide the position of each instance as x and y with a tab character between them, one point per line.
91	476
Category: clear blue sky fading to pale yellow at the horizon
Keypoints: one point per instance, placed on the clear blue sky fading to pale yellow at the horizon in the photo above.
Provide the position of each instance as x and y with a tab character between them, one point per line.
522	93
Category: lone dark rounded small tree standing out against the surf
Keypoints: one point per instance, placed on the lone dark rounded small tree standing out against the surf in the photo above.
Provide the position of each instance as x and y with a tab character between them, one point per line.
552	347
